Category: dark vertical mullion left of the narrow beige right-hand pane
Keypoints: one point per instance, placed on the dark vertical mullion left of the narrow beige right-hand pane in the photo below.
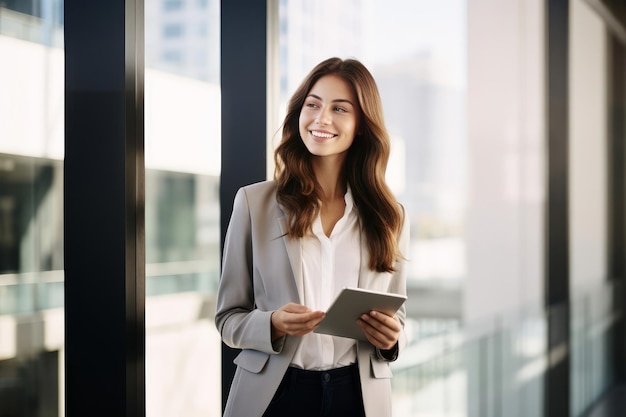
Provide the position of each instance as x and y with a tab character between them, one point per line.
557	377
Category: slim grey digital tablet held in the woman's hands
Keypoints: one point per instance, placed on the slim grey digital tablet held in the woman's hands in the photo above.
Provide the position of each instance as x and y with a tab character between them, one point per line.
350	304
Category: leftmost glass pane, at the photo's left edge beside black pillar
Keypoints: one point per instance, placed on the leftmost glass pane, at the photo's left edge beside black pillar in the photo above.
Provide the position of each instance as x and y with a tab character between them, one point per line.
31	208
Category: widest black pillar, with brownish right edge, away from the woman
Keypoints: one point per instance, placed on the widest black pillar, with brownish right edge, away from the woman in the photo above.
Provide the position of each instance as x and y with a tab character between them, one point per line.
103	209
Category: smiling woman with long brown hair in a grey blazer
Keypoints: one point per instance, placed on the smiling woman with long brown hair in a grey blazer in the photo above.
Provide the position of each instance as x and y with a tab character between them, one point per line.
327	221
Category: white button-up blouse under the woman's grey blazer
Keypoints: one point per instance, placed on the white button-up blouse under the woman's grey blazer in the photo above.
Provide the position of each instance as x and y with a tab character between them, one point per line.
329	264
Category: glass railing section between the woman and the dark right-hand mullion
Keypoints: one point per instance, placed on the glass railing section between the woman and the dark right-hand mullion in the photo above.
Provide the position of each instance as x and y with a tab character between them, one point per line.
488	368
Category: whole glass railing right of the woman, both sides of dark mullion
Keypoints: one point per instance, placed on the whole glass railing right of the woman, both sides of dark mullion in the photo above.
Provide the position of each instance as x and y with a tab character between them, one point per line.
496	367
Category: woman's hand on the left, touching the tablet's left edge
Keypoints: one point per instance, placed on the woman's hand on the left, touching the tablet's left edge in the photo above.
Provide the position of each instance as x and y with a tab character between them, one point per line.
294	319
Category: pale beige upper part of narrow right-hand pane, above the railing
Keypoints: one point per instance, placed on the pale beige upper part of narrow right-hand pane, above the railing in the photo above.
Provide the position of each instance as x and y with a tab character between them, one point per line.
588	147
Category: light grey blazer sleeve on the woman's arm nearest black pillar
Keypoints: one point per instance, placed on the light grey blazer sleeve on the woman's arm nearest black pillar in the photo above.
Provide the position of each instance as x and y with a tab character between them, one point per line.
240	323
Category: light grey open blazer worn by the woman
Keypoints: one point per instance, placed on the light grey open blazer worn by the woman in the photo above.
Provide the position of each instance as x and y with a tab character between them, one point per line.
261	267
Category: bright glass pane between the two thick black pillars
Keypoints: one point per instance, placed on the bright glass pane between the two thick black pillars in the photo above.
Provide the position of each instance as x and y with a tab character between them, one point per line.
182	125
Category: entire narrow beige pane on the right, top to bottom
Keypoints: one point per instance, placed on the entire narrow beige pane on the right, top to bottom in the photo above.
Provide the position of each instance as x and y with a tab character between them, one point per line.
592	366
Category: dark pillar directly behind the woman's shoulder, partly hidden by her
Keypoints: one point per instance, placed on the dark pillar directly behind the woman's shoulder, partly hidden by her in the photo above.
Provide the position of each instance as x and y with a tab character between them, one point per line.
244	114
